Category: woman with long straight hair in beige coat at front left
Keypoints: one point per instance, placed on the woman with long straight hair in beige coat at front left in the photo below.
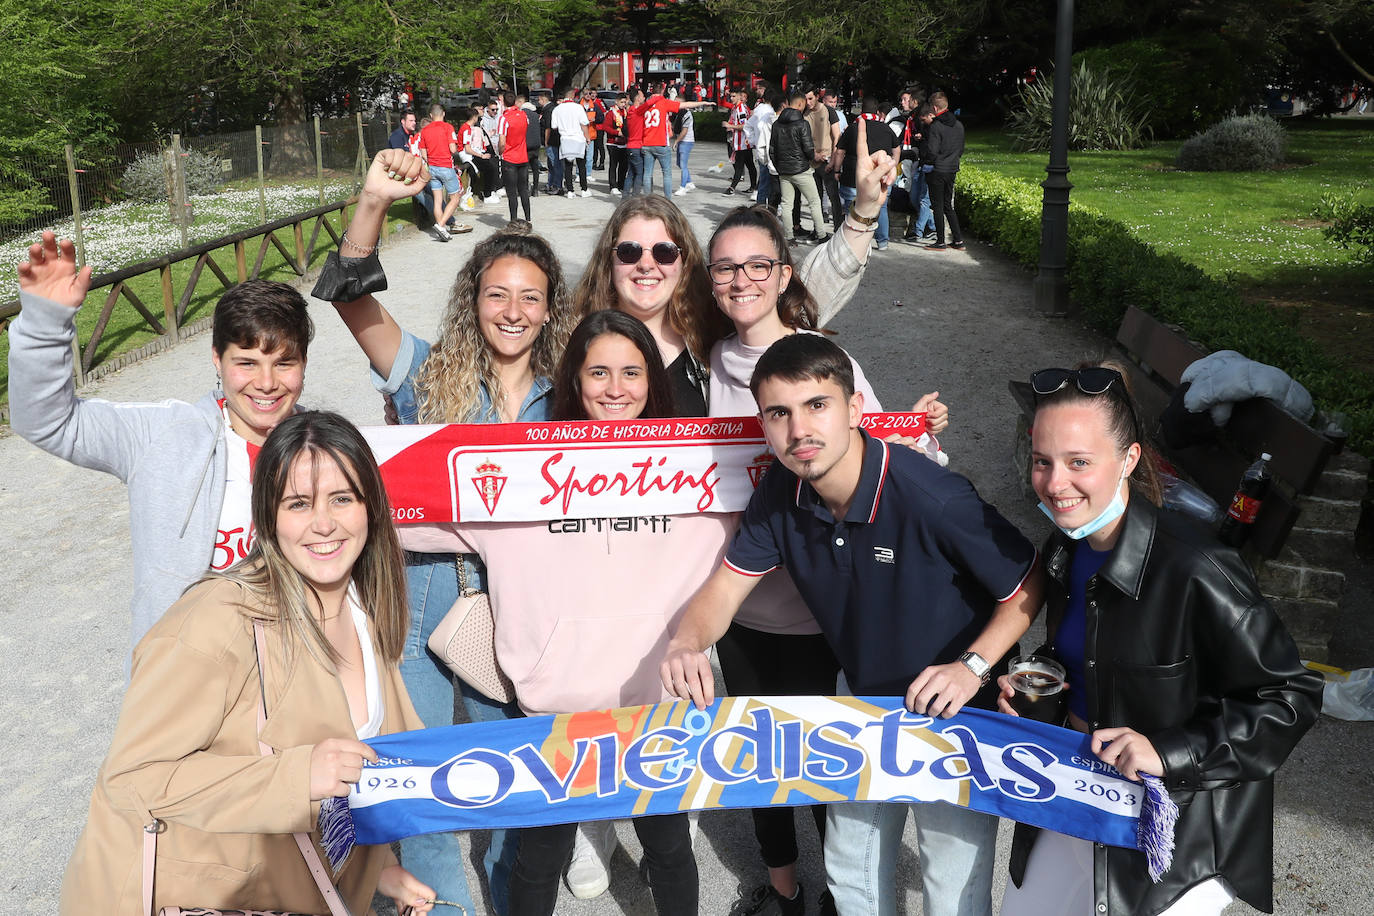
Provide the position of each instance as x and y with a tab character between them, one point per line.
326	580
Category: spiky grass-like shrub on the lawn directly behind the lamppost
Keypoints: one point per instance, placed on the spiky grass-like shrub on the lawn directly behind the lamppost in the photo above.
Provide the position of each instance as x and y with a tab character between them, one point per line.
1104	113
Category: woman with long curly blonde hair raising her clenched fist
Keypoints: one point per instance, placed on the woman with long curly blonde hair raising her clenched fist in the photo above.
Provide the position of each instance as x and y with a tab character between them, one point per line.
499	344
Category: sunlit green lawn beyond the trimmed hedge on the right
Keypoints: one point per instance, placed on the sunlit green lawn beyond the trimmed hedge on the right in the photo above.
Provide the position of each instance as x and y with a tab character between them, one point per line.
1239	225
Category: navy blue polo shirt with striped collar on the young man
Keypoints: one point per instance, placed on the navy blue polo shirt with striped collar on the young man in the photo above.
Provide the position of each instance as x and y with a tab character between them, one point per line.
906	580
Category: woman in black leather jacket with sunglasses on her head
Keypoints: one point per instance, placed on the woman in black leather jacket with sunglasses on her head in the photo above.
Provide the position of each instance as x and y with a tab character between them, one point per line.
1177	667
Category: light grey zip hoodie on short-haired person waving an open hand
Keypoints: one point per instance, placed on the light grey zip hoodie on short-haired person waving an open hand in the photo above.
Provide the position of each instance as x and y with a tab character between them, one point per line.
171	455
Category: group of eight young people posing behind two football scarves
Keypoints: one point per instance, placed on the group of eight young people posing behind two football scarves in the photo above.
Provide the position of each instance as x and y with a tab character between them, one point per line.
315	637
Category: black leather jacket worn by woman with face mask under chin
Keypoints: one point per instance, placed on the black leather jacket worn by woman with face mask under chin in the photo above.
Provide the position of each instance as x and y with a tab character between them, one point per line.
1184	649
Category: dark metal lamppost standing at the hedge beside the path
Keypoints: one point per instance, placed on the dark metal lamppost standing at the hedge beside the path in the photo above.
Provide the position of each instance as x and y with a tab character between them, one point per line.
1052	286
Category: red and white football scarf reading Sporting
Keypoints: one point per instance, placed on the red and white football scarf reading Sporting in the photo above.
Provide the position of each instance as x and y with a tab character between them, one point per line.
541	472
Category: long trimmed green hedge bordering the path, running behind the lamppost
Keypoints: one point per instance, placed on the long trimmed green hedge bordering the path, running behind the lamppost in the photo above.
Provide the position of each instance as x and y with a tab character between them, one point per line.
1111	268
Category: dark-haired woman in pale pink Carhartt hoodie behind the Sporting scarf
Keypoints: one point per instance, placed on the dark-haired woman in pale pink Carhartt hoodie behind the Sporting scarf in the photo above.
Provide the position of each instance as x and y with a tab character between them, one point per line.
585	632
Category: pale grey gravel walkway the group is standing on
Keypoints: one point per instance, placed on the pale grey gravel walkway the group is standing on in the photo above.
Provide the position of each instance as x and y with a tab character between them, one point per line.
965	325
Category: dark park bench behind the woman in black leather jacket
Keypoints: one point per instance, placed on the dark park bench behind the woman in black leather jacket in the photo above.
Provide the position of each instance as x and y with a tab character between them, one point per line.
1305	532
